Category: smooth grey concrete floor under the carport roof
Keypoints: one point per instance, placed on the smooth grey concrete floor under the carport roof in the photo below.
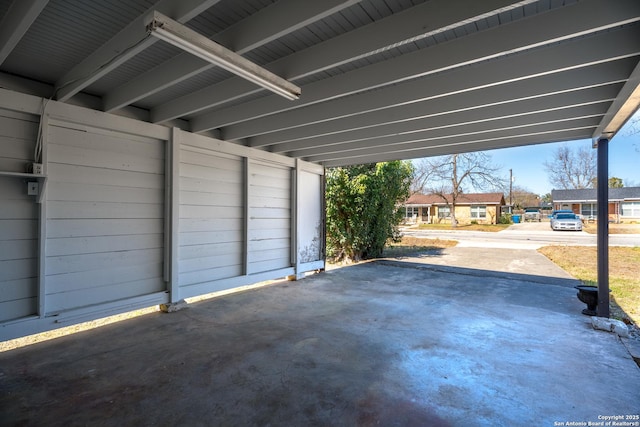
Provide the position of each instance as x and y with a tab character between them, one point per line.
384	343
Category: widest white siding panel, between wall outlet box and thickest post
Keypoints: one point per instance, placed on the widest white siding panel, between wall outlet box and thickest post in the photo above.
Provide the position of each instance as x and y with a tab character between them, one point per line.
105	209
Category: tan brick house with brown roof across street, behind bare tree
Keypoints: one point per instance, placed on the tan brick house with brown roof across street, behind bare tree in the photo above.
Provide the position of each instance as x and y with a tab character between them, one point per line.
431	208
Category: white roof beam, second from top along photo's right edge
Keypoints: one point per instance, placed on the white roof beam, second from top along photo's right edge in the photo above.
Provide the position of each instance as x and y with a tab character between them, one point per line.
580	53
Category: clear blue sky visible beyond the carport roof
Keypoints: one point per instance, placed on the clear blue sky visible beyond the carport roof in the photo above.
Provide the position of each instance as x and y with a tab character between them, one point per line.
528	162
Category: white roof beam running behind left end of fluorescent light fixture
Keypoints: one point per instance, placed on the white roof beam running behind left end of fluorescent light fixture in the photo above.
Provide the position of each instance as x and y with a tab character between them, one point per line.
123	46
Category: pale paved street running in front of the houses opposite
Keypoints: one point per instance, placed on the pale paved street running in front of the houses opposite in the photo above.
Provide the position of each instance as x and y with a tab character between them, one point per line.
523	236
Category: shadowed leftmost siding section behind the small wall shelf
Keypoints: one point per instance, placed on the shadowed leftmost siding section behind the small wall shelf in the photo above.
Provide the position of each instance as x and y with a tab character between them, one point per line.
18	218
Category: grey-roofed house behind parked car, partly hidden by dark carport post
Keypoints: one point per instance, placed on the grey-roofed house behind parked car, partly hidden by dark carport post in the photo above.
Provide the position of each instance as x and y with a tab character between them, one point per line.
624	203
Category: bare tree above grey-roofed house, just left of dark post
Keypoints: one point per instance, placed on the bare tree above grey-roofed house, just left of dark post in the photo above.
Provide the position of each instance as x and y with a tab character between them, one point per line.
572	168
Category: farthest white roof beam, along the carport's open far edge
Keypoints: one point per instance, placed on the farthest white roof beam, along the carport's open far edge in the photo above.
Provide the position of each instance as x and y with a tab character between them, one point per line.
470	146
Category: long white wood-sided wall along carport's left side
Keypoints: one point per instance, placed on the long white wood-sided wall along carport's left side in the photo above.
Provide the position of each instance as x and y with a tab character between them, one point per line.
135	214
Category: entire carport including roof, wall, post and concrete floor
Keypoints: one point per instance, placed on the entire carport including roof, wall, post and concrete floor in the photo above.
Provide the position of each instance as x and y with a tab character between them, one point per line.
135	170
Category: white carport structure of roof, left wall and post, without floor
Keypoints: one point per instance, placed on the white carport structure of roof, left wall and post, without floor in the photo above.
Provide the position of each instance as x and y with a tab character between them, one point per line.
135	170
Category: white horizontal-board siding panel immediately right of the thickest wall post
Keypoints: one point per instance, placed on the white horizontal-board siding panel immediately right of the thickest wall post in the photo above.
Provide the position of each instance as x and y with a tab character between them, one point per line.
211	217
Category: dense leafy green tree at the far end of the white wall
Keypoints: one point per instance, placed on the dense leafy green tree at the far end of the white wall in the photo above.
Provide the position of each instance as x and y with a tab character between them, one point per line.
363	210
